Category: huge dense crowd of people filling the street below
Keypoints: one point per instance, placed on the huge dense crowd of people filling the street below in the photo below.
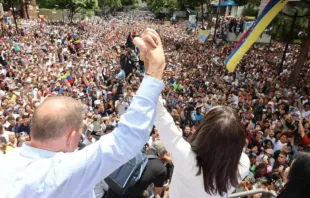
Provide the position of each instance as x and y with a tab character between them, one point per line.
96	63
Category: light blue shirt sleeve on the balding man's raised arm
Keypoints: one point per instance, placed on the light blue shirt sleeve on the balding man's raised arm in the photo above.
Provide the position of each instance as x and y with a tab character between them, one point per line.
83	169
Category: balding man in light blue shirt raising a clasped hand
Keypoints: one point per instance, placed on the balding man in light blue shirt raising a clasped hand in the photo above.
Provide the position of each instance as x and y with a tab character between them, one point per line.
48	167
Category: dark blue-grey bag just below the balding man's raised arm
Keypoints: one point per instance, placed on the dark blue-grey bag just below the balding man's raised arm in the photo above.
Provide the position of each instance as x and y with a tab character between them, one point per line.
128	174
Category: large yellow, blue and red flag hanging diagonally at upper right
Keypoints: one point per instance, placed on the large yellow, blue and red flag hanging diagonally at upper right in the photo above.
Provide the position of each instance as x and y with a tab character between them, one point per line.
249	37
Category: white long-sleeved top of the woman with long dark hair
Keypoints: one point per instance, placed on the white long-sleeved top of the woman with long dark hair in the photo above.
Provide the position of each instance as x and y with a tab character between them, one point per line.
185	183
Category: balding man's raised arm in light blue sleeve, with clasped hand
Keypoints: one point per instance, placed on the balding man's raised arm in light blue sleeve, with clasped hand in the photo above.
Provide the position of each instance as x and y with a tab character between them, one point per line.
100	159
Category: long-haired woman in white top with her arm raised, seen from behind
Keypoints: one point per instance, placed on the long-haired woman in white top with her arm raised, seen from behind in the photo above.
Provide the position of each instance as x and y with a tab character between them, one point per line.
212	164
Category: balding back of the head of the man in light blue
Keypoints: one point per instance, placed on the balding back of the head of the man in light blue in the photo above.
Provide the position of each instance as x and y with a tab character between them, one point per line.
56	117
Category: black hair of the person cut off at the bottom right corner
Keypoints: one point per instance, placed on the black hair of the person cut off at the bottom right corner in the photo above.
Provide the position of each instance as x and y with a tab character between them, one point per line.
298	178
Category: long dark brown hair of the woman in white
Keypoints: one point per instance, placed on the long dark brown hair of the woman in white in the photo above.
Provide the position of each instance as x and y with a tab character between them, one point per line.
218	144
